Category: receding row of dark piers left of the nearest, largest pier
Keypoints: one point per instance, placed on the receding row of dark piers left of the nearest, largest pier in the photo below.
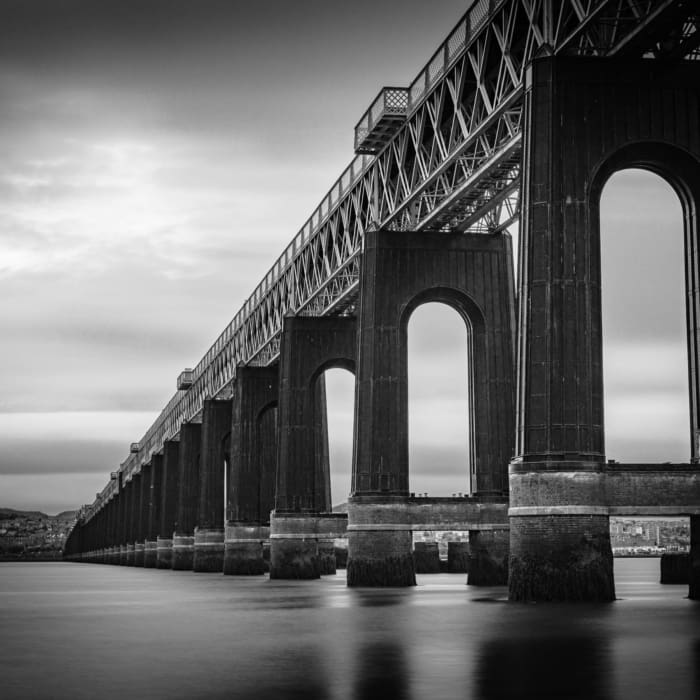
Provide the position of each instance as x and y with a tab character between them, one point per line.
253	470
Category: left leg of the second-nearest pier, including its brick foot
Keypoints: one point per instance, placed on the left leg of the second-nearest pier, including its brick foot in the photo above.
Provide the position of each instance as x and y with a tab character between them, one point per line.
379	557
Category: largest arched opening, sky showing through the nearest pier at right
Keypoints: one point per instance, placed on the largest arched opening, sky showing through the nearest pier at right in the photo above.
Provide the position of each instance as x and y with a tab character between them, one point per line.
645	357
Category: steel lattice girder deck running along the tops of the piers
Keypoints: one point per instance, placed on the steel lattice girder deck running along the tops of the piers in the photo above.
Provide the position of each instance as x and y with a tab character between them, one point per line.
454	165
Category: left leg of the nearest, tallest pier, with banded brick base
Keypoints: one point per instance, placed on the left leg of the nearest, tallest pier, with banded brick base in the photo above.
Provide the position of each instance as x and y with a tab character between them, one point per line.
560	532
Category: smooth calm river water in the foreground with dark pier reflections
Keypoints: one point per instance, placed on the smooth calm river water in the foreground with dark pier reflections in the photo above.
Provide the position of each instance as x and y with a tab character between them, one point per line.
95	631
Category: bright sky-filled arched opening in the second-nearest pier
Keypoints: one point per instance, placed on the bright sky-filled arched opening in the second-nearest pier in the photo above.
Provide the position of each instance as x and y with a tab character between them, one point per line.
438	402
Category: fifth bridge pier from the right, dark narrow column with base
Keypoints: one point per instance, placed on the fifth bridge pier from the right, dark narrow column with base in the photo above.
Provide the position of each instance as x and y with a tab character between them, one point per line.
209	533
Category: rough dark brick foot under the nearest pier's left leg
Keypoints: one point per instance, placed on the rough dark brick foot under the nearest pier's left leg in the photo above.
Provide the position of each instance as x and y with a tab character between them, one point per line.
560	558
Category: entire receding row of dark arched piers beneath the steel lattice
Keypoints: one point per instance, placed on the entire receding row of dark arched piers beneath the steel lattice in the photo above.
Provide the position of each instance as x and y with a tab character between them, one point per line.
542	490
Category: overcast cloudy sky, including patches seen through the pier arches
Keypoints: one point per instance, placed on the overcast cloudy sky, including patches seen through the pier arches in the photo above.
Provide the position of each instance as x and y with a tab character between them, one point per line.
157	156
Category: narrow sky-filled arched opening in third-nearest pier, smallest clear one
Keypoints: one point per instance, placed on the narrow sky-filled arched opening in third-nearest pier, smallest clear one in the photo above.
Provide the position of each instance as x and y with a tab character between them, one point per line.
340	402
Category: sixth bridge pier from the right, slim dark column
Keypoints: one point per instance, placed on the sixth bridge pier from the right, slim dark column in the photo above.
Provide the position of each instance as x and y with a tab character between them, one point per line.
188	496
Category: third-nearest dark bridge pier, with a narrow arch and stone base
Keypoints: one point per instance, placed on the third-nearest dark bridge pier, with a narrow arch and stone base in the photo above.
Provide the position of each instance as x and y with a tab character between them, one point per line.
302	526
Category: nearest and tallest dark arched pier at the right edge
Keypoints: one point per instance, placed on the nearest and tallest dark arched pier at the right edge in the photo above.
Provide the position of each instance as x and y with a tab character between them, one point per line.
585	119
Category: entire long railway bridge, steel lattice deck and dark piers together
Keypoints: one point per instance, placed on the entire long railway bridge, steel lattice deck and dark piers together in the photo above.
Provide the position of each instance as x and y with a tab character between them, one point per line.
520	116
